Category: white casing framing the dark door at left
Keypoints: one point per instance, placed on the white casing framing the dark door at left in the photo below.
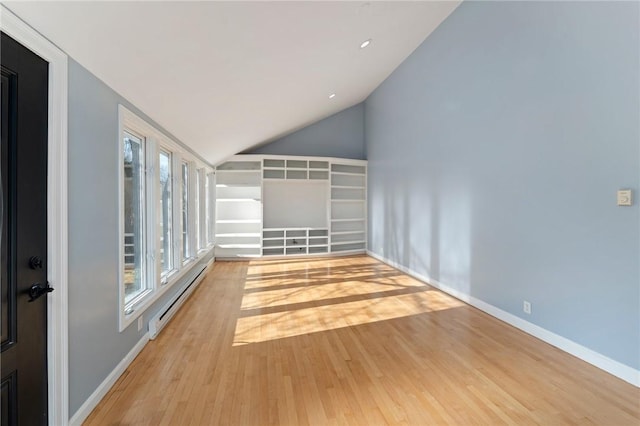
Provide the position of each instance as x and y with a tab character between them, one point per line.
57	225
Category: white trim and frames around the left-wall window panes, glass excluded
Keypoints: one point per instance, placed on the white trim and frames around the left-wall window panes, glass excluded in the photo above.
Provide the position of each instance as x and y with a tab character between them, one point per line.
154	141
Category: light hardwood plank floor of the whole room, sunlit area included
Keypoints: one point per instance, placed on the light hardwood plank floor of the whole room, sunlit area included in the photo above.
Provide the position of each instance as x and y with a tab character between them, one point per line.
351	341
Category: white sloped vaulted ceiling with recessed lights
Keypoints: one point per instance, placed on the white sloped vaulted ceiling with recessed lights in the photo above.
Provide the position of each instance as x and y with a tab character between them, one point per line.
225	76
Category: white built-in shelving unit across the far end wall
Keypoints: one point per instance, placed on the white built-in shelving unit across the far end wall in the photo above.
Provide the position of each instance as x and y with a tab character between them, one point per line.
290	206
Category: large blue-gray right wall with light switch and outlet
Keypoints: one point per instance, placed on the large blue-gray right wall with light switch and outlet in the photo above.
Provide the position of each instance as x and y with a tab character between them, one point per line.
495	152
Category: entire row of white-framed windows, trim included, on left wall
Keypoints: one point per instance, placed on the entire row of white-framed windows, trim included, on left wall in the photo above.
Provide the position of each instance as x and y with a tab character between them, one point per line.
161	188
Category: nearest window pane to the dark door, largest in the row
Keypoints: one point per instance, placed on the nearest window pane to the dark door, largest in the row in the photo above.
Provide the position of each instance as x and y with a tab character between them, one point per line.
135	282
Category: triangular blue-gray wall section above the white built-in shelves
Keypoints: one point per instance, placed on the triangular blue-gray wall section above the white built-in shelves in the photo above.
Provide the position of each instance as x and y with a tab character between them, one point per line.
341	135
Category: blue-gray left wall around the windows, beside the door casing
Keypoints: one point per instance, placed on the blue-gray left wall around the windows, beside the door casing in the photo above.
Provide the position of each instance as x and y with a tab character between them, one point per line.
95	345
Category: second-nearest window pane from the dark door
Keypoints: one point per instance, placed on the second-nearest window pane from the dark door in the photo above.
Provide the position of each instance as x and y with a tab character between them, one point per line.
166	225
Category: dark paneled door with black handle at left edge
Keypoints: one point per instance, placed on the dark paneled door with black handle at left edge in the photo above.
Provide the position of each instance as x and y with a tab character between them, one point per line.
24	235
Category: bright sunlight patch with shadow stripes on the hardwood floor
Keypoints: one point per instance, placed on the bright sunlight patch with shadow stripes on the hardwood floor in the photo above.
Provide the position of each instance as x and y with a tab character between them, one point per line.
304	299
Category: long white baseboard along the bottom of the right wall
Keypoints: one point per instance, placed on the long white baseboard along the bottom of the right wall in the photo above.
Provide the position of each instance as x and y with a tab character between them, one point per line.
594	358
